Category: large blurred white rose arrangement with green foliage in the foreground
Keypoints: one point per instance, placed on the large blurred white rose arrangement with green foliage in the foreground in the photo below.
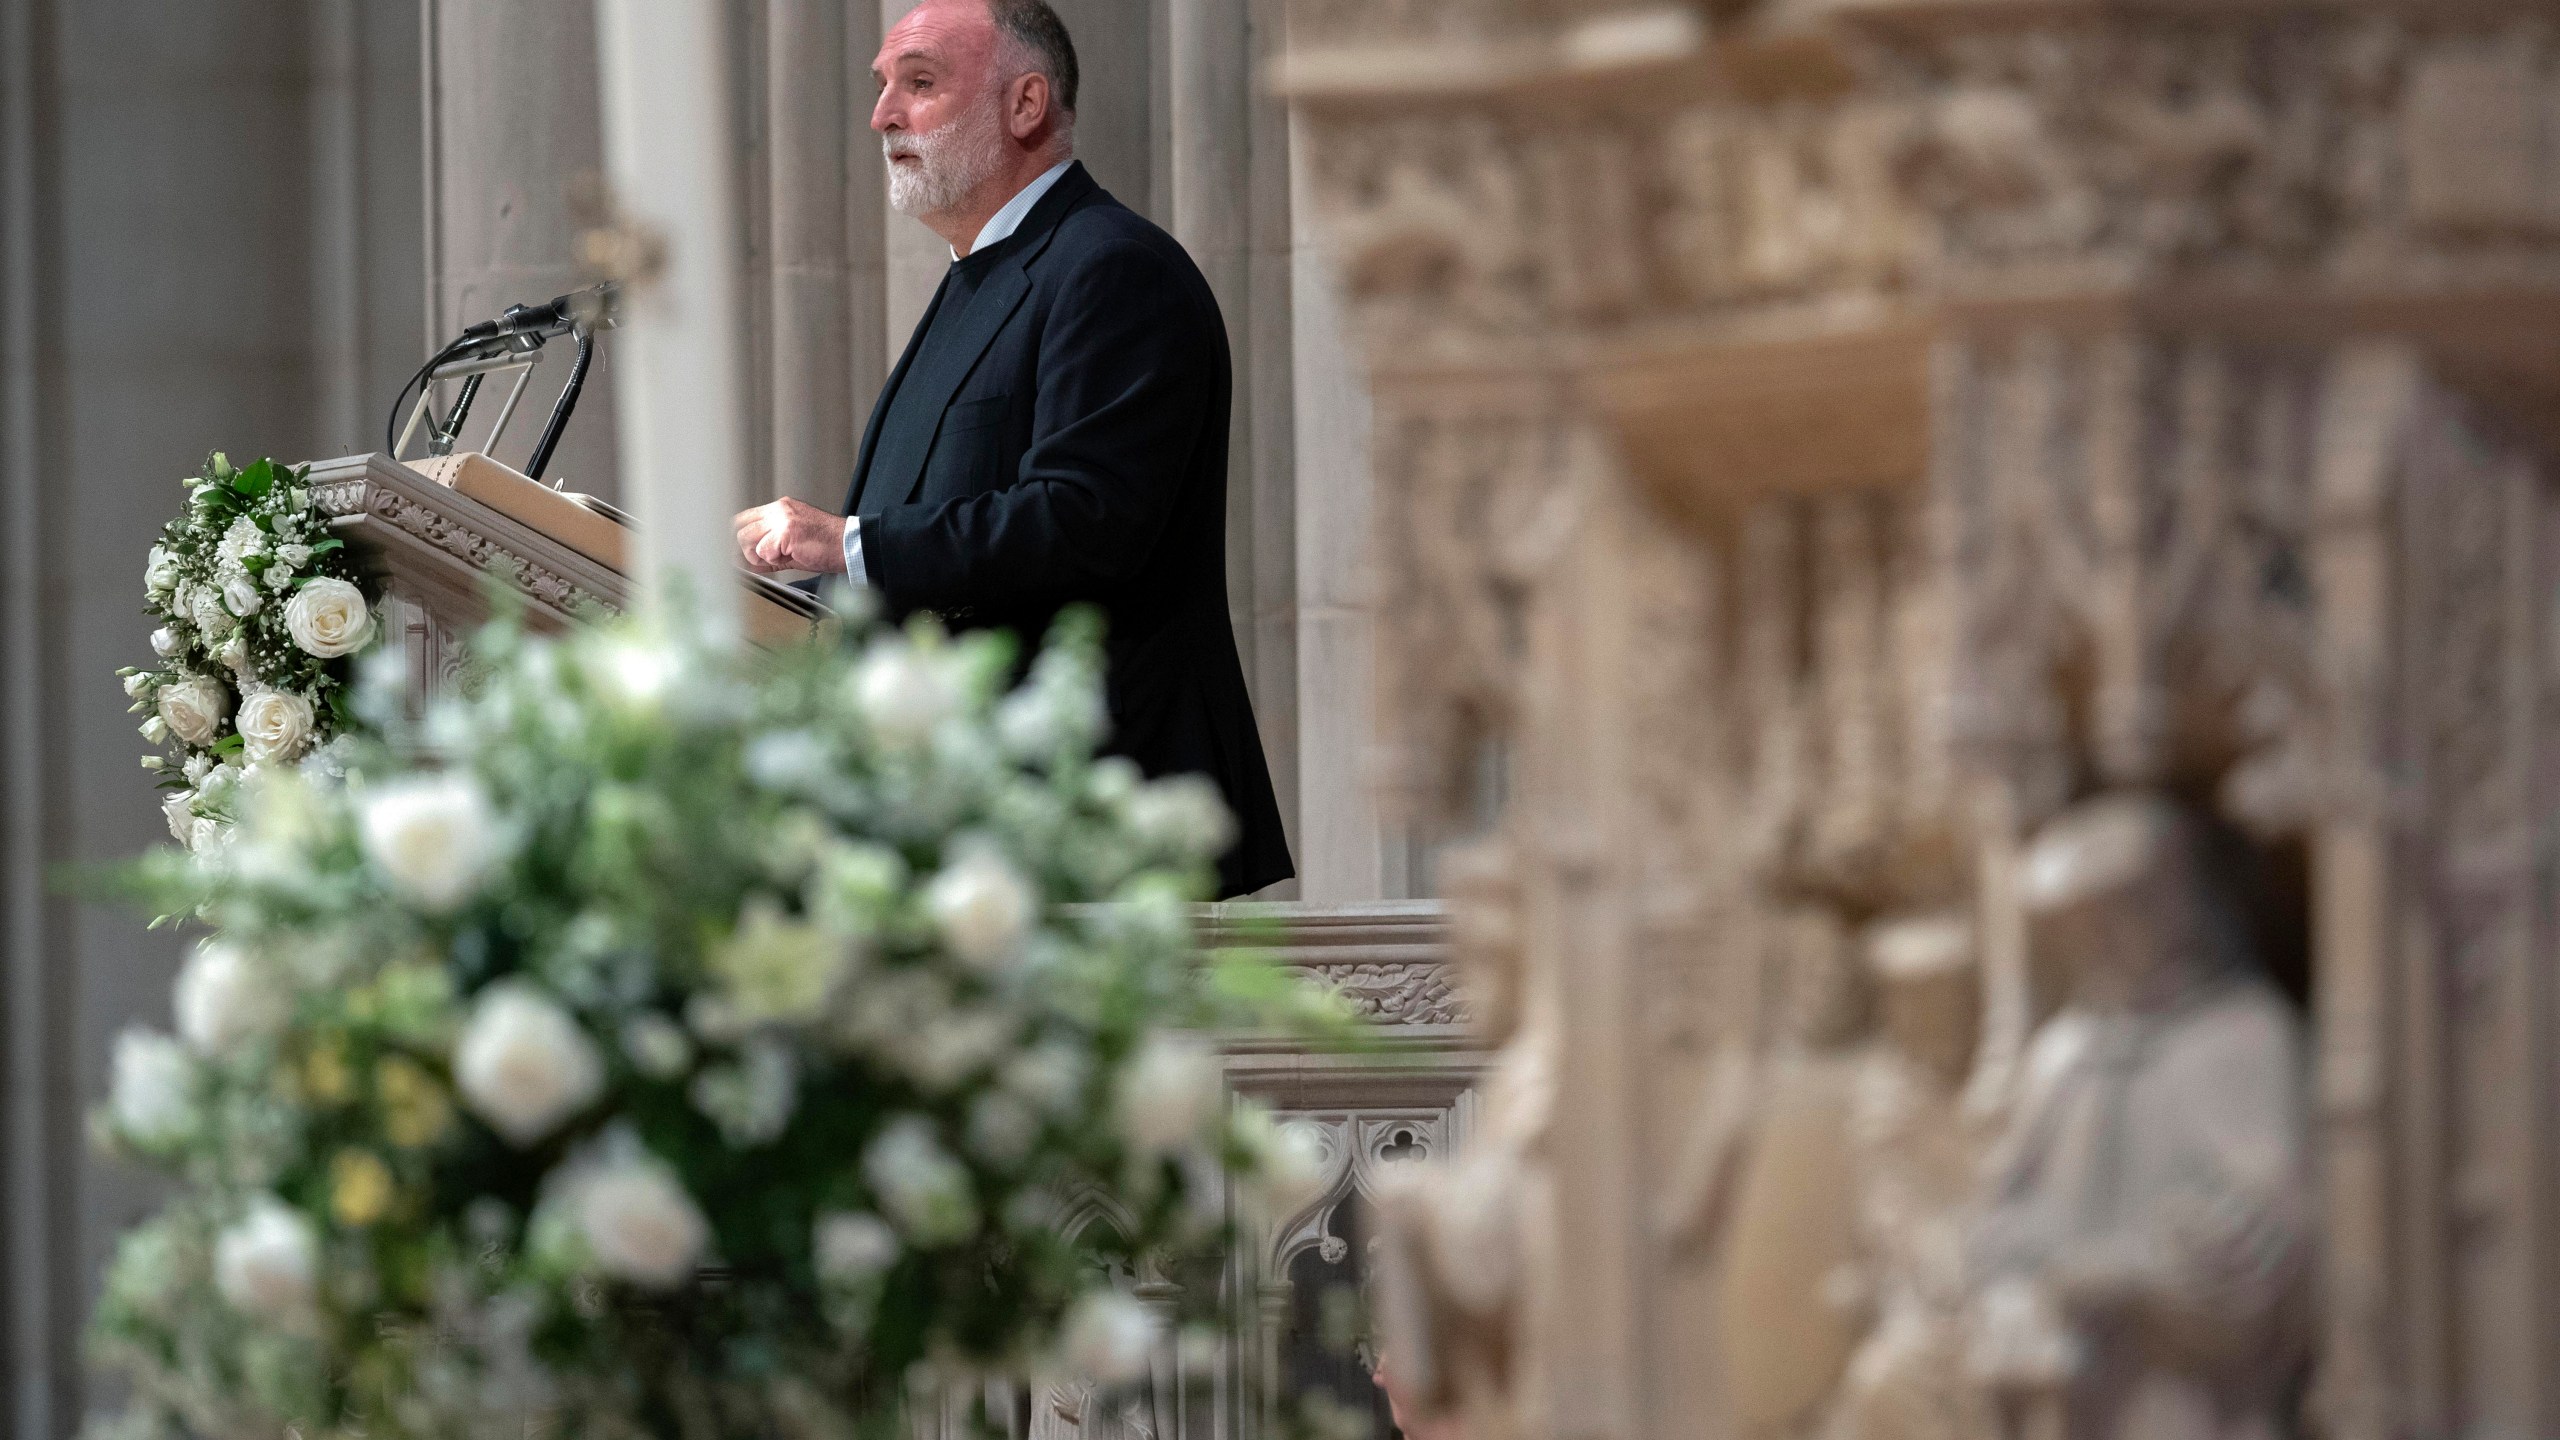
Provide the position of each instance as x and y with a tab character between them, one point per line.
685	1024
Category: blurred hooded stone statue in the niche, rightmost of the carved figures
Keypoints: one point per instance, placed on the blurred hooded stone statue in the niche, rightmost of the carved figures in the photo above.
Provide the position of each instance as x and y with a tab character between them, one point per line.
2144	1254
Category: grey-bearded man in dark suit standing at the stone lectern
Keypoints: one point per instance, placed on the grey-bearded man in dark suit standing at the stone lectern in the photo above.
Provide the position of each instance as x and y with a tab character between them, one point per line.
1056	429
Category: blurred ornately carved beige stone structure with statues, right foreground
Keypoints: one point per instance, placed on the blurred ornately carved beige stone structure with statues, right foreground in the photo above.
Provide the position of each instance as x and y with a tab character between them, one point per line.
1827	447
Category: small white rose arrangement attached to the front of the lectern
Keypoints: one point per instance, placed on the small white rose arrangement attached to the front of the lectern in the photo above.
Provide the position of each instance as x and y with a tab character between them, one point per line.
260	611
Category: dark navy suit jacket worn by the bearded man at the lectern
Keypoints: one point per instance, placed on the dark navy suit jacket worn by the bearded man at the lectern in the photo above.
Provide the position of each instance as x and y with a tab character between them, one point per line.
1082	457
